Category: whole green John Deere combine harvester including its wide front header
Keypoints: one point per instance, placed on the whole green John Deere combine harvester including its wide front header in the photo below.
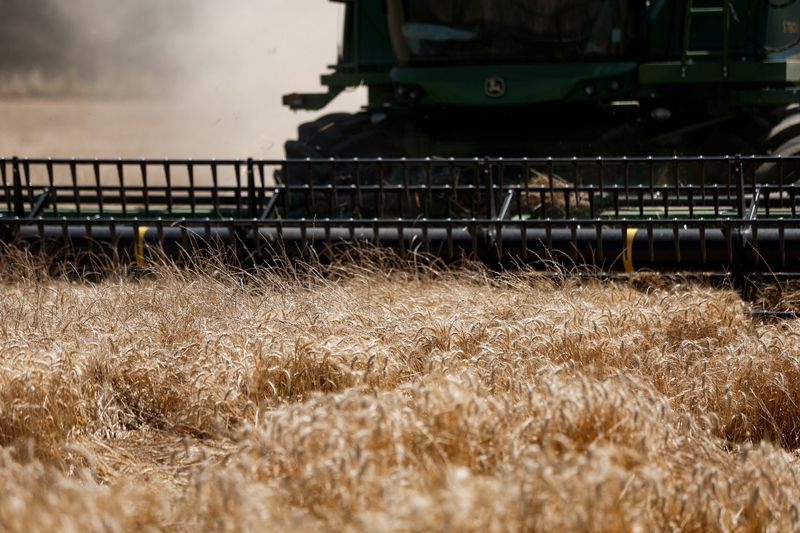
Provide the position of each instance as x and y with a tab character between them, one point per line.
624	110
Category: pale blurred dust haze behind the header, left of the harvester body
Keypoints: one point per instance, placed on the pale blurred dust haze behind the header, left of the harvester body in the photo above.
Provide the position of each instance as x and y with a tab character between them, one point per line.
179	79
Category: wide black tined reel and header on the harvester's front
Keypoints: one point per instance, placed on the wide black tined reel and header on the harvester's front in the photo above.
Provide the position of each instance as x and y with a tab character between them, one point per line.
610	214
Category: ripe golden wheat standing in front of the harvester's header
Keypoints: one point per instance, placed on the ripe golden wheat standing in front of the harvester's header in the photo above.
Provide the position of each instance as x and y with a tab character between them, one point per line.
402	400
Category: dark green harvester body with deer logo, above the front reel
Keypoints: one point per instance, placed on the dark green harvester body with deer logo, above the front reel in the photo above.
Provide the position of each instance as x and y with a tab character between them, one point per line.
467	78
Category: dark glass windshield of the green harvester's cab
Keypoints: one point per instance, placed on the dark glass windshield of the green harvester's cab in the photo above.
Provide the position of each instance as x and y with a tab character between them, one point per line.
461	31
